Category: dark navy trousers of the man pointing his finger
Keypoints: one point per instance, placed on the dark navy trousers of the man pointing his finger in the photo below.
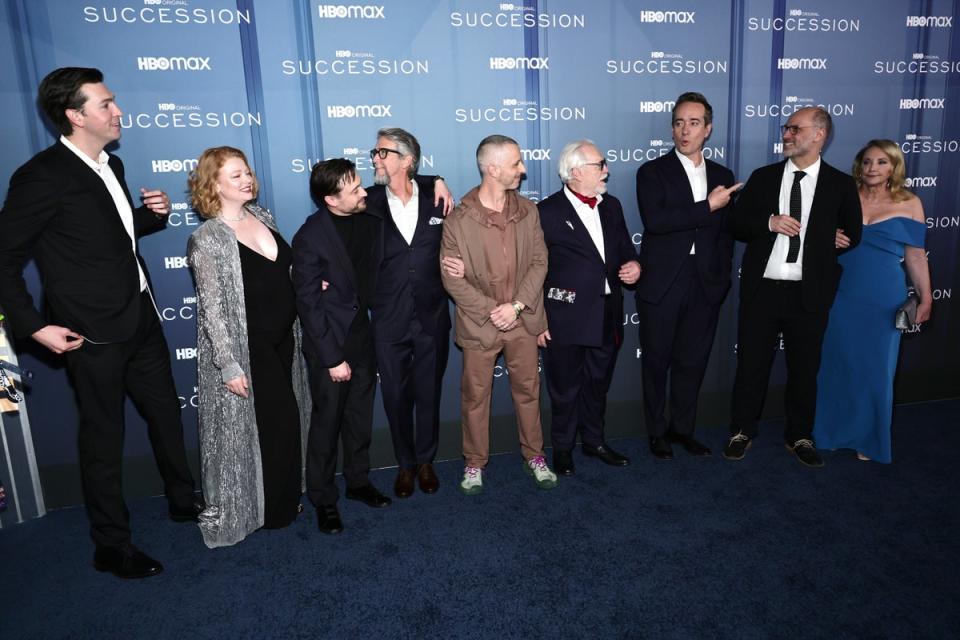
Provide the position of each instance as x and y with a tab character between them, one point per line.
676	336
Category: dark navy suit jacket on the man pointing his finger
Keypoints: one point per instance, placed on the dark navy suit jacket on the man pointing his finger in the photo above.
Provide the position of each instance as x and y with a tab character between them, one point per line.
673	222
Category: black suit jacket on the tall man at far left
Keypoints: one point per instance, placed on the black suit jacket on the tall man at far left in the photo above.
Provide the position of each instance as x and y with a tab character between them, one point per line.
59	212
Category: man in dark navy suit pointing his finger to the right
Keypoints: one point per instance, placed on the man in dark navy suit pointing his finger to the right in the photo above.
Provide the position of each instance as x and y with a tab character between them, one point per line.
686	256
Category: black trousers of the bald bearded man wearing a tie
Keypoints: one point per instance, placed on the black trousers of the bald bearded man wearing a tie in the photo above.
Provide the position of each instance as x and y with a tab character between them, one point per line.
777	307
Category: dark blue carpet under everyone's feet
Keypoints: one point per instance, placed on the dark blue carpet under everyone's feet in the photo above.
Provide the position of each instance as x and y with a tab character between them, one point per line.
691	548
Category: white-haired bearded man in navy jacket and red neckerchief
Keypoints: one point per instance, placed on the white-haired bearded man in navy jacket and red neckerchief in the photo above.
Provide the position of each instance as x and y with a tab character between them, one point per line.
590	253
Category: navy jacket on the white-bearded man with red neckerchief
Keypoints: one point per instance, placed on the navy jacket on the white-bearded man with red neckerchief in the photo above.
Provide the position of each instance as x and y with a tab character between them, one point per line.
574	264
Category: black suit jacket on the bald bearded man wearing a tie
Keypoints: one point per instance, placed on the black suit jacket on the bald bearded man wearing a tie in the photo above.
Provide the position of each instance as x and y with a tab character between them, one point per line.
836	204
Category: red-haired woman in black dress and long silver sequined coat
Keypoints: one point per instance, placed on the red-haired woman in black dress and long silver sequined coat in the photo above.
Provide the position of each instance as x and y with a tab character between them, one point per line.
253	398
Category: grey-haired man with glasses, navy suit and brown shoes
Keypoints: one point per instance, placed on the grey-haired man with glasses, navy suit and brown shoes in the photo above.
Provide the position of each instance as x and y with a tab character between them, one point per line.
411	318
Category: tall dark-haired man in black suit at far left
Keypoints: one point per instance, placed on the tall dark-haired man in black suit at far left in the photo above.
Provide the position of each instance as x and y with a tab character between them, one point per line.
69	209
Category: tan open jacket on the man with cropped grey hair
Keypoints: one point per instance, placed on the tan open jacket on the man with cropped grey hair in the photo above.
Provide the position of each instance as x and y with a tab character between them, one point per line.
473	294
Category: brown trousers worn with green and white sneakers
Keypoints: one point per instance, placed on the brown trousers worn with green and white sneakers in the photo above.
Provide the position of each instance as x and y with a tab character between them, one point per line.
520	353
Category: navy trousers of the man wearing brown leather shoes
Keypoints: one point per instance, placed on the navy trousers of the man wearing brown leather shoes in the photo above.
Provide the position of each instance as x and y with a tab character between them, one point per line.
411	376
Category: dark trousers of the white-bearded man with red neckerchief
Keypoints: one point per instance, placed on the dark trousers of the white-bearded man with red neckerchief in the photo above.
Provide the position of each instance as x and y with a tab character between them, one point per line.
578	379
